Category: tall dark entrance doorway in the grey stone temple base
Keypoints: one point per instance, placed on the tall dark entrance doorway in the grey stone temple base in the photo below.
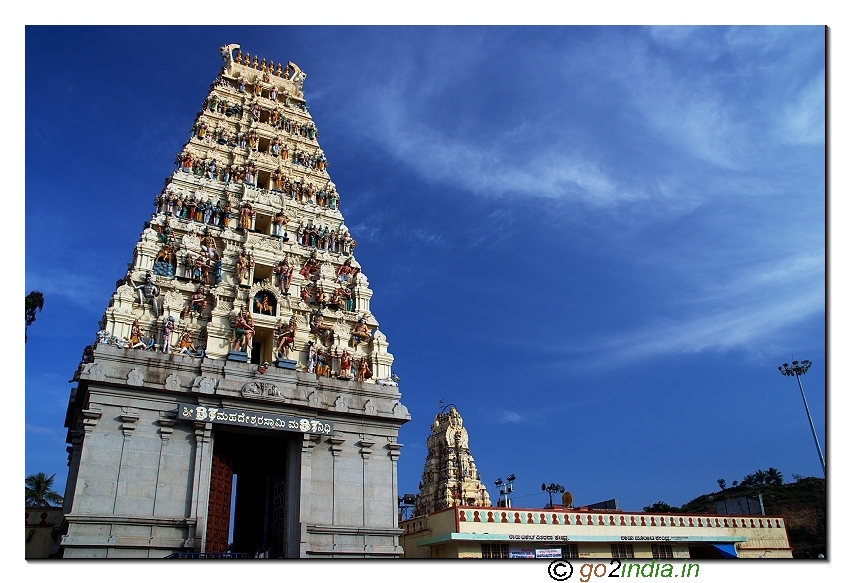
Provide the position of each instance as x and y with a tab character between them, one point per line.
249	492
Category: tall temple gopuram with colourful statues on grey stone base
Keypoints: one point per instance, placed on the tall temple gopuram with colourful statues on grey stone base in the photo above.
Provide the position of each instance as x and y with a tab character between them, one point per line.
239	371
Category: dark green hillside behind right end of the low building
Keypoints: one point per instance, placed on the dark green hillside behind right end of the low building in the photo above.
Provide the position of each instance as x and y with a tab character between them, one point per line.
802	504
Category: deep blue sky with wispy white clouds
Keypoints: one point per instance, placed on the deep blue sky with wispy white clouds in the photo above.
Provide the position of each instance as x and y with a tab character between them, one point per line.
597	242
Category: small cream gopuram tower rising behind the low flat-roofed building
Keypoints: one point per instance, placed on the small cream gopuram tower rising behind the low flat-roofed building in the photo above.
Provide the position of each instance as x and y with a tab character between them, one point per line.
450	477
